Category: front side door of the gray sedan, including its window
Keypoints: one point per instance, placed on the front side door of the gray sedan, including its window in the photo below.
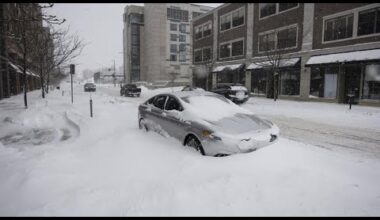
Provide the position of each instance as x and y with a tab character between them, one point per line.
175	127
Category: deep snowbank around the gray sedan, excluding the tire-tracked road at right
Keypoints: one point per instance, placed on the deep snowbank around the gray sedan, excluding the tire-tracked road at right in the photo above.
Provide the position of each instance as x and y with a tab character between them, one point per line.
113	168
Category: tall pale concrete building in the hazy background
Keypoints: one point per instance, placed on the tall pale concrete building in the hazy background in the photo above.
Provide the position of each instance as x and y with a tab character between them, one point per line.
157	41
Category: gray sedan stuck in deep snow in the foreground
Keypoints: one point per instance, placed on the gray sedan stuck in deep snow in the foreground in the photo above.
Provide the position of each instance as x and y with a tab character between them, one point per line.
206	121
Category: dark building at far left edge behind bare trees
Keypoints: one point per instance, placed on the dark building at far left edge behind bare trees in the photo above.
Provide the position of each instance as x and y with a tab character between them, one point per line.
11	58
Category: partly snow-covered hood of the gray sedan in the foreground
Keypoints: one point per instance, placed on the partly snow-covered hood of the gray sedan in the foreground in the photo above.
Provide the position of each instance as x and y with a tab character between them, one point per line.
240	123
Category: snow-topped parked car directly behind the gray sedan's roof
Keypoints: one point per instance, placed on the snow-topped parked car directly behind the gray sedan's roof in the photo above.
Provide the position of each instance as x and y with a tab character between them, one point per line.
233	91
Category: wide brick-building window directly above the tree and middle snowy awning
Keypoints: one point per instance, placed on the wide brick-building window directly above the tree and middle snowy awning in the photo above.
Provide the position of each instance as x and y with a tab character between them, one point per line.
278	39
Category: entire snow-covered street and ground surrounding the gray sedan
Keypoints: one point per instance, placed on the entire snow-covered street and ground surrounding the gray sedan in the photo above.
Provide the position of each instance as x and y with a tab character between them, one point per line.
55	160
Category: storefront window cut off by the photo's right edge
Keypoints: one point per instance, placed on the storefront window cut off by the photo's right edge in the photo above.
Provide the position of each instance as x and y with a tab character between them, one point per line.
371	87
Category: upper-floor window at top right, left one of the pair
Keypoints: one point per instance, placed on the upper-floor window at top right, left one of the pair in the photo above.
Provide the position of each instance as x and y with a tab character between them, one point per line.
338	28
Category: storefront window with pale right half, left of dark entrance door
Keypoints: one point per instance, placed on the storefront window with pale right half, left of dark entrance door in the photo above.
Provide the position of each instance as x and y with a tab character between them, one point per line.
323	82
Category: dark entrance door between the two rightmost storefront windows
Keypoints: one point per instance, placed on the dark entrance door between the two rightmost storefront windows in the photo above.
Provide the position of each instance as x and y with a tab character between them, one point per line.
352	82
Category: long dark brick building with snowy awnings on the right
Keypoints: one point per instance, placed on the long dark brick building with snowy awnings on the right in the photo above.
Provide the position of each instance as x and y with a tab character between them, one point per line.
318	51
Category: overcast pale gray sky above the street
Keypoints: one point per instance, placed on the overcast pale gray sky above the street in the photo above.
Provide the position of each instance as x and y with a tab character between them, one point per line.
101	27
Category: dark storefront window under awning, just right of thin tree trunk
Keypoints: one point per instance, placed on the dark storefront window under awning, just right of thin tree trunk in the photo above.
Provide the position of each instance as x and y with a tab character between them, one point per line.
289	82
